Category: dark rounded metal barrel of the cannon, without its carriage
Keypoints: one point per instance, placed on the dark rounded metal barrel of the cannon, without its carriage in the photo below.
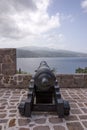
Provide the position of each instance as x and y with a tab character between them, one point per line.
44	77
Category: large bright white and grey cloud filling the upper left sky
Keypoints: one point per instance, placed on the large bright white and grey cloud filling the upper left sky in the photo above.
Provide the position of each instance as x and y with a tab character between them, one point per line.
22	18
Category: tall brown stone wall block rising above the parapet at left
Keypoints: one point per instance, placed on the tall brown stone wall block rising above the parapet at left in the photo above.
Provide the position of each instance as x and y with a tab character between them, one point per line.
8	61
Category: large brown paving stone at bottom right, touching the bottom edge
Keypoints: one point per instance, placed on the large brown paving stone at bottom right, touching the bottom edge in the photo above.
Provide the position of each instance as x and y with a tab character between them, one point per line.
75	126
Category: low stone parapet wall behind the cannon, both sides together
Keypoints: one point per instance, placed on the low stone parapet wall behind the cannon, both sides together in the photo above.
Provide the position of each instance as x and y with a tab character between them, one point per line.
64	81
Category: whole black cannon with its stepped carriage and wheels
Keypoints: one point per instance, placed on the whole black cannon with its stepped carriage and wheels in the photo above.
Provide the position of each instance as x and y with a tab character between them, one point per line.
44	94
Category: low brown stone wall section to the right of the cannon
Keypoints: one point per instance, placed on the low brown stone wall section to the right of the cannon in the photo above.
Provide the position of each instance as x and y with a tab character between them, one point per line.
72	80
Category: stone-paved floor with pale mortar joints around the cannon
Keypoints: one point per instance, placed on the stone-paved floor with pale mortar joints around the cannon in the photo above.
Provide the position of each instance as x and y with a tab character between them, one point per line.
10	118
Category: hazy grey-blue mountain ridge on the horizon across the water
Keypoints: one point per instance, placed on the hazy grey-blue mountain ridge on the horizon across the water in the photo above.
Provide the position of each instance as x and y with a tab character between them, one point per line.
27	52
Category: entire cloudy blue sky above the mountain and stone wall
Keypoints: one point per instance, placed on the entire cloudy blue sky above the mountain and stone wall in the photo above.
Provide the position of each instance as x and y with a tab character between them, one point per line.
57	24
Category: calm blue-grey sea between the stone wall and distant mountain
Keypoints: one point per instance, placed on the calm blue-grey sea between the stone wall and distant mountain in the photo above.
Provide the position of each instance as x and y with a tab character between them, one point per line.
61	65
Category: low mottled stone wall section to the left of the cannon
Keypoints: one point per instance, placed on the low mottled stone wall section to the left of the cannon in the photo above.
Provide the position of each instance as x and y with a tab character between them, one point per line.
14	81
